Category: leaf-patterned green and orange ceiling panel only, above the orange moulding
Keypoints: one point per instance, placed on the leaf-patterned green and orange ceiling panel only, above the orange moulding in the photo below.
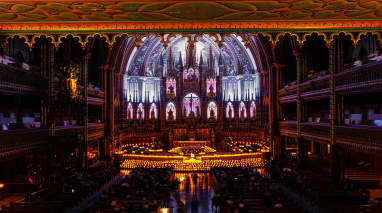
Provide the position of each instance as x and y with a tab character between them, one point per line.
108	11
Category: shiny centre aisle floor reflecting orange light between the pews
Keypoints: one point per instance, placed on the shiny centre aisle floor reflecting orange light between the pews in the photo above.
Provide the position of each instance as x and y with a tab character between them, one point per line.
195	193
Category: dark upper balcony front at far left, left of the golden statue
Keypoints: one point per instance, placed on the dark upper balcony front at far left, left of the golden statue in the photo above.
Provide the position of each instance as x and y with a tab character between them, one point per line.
17	81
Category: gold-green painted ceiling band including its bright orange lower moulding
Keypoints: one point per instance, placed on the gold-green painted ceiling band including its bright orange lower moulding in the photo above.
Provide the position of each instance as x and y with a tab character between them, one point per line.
14	14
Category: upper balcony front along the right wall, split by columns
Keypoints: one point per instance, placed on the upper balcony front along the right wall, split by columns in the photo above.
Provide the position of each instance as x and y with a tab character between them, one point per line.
363	79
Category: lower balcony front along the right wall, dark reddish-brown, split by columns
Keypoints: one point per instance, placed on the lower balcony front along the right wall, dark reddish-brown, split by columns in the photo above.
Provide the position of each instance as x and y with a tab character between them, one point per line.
360	136
